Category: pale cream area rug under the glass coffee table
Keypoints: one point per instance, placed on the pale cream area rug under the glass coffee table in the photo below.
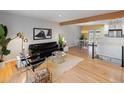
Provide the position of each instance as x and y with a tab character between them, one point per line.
70	62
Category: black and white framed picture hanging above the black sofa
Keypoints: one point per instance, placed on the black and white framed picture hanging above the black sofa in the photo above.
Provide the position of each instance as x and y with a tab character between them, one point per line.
42	33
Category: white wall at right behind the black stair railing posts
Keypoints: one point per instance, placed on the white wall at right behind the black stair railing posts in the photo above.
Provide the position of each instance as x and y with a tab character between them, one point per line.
109	46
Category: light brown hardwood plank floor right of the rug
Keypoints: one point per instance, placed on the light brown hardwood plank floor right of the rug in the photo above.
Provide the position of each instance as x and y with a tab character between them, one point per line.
92	70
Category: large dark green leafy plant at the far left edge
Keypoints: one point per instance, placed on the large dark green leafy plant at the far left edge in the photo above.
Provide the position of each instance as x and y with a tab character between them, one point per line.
3	42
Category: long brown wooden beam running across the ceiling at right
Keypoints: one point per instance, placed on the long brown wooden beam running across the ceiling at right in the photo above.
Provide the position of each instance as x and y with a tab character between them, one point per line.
107	16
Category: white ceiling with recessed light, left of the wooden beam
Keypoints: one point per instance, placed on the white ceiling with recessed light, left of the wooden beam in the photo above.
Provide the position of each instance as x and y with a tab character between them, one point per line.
58	15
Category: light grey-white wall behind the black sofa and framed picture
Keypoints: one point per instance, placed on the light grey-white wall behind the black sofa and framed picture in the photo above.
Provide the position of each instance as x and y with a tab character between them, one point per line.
16	23
